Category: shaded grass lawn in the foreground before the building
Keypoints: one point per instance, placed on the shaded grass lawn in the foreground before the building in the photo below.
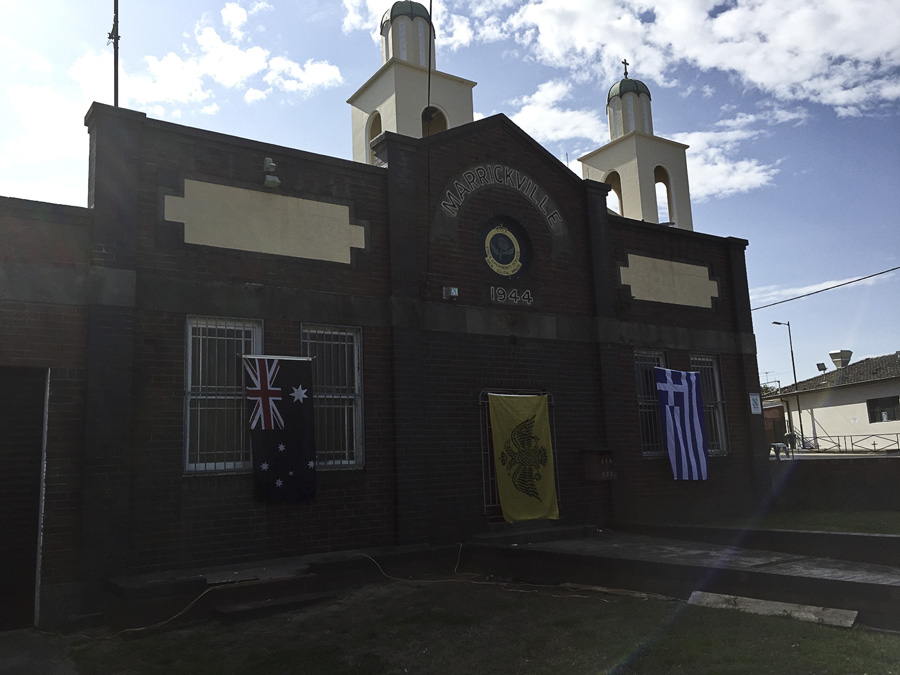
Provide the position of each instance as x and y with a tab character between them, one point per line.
461	628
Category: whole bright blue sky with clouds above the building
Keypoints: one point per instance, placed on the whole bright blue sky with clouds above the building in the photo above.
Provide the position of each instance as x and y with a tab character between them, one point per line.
791	109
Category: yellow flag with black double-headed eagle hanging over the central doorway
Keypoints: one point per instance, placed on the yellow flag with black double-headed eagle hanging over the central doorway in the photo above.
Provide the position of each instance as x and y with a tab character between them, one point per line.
523	457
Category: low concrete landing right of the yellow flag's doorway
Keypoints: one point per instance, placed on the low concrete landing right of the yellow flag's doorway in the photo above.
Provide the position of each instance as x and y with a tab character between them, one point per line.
678	568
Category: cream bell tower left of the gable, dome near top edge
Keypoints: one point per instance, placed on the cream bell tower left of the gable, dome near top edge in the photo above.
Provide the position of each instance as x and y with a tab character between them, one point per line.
396	97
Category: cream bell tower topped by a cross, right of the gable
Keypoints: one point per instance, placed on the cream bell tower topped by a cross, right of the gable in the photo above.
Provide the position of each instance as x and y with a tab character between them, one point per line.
635	160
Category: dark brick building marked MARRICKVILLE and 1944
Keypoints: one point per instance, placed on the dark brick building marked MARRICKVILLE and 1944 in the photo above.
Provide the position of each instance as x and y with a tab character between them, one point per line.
128	319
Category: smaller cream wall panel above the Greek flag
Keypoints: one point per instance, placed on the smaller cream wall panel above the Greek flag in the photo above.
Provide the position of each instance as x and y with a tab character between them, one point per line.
671	282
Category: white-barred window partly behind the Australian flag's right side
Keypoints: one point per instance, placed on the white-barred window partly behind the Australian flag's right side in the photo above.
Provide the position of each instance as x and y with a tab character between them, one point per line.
337	392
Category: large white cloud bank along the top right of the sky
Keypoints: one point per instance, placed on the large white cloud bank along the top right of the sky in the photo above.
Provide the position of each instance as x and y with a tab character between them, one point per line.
840	54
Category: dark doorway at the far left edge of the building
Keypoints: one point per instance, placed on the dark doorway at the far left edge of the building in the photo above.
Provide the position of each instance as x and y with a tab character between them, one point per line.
22	397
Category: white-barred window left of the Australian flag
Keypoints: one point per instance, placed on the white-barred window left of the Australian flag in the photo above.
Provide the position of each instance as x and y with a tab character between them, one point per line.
216	437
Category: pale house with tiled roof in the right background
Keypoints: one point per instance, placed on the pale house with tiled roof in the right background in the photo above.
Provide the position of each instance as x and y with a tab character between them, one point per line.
854	407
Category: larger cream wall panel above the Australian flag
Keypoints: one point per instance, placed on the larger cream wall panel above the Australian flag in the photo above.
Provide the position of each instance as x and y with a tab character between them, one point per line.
247	220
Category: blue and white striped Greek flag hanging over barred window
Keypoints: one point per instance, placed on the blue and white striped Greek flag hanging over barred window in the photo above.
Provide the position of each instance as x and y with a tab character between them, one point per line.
681	414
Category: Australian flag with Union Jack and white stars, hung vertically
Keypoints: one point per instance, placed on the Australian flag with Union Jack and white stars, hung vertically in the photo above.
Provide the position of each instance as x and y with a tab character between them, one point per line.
282	439
